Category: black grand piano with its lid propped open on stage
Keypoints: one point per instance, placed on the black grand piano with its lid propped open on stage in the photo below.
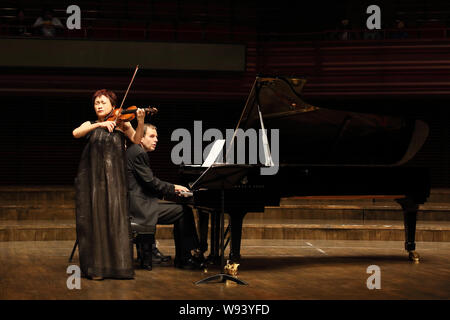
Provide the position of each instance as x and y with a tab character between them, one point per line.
320	152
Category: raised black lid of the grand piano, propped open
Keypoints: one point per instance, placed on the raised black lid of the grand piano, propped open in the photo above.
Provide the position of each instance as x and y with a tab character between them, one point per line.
313	135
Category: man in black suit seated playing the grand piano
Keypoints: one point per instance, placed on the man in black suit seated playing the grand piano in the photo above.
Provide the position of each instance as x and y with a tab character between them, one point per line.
145	190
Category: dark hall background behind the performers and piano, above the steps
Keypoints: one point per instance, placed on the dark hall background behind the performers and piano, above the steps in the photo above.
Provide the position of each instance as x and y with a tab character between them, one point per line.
407	76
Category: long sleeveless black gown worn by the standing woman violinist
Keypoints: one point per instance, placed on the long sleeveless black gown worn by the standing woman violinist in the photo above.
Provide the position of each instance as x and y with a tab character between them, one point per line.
103	224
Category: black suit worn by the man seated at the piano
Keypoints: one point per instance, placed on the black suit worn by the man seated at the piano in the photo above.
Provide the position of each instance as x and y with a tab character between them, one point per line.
144	192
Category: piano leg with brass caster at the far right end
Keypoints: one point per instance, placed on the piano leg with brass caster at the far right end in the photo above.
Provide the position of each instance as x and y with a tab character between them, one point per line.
410	208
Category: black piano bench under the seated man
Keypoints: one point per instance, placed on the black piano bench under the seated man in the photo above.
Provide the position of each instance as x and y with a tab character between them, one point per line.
144	239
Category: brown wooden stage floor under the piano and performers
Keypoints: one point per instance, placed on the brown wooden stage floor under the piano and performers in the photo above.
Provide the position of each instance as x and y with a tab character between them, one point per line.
273	269
